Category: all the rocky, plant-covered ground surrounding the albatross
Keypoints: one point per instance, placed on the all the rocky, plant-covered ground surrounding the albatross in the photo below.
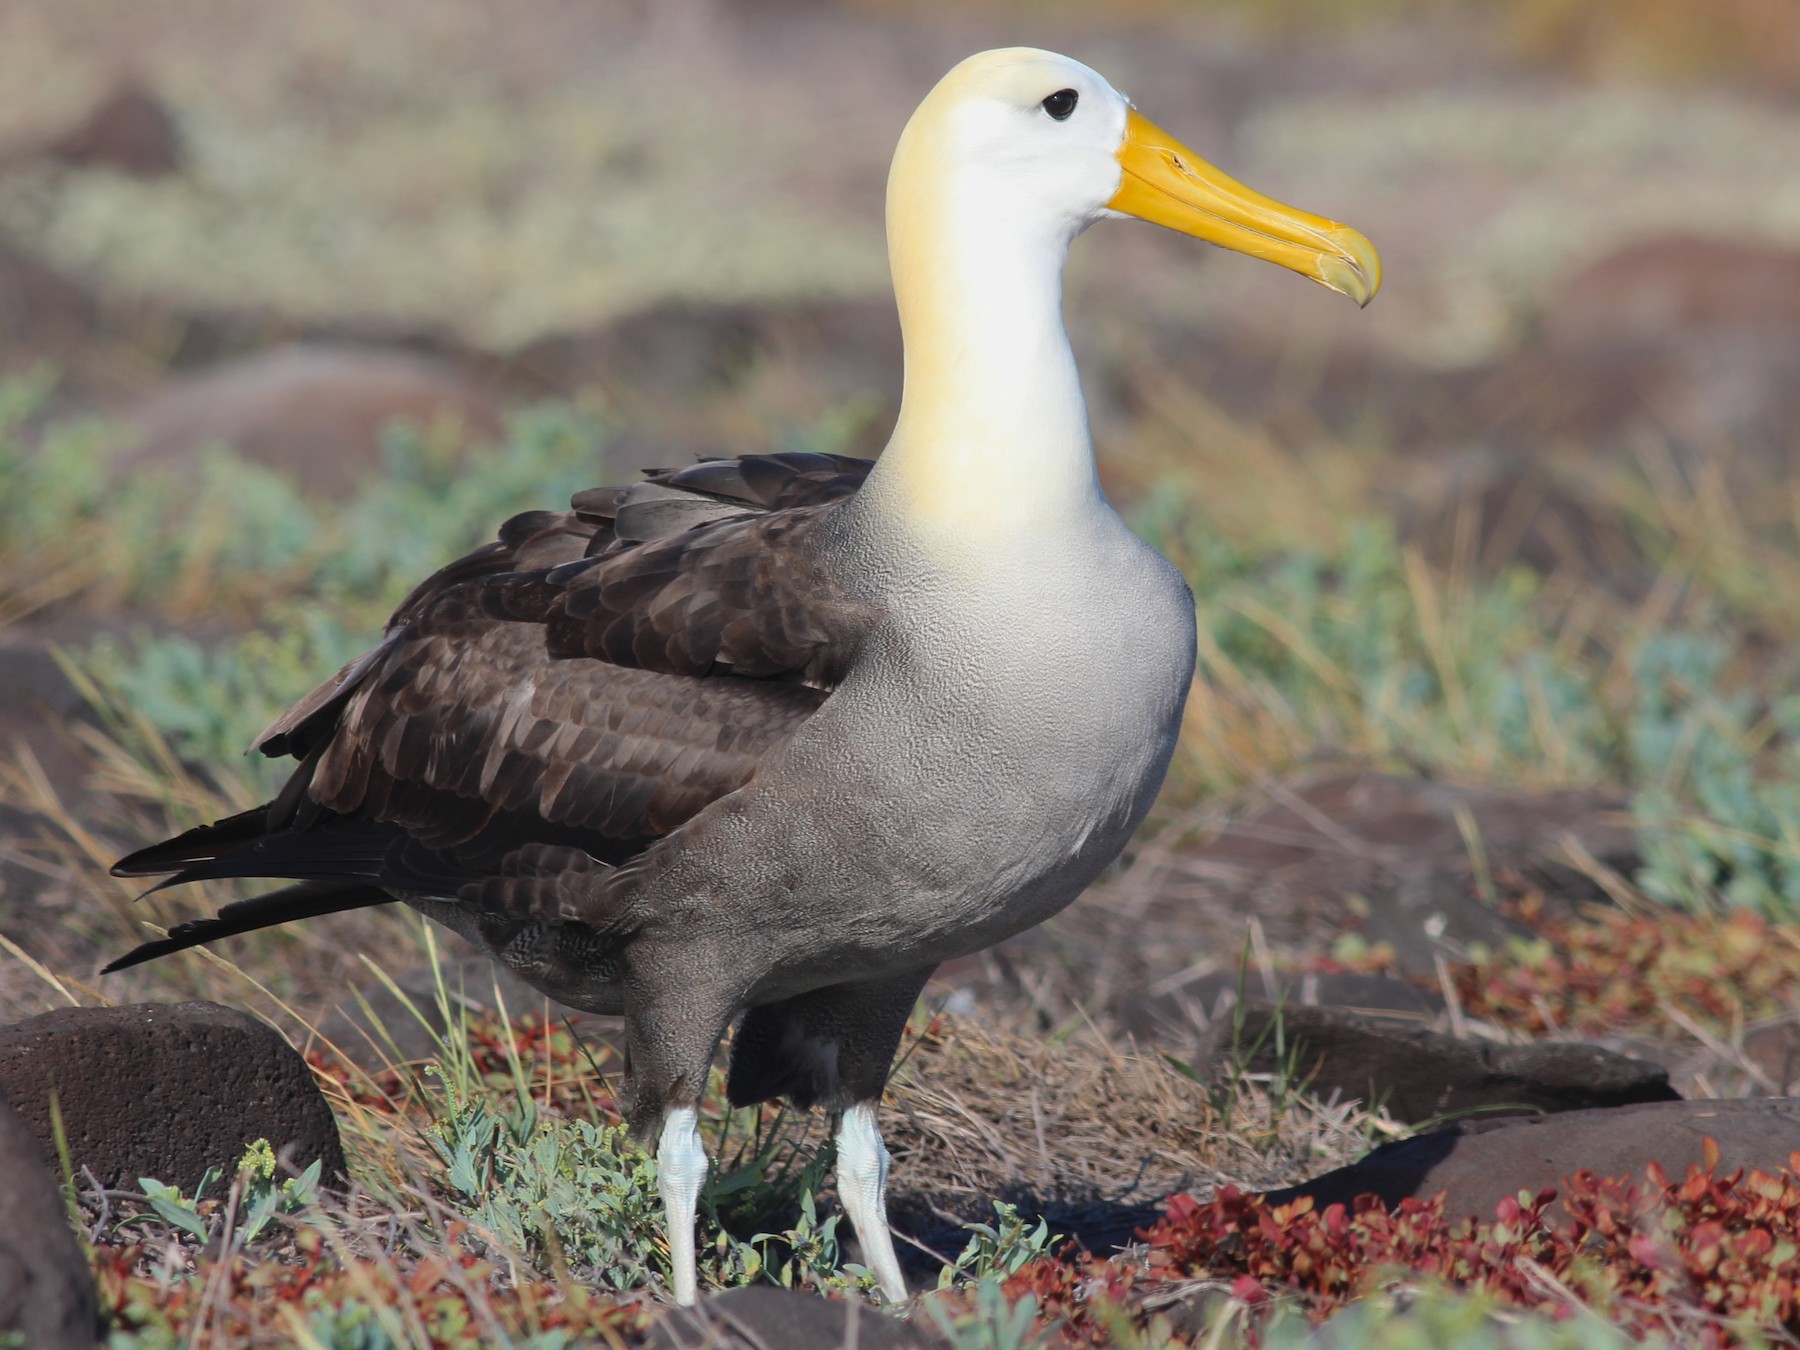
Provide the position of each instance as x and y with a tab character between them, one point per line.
1477	865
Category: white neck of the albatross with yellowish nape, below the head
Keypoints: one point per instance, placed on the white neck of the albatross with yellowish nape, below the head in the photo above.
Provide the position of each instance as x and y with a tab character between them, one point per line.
993	435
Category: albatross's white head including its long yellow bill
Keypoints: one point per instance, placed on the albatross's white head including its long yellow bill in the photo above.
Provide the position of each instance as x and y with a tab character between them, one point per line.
1041	138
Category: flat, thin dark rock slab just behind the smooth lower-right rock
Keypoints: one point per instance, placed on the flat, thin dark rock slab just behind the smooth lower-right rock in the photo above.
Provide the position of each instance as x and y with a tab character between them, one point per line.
1417	1074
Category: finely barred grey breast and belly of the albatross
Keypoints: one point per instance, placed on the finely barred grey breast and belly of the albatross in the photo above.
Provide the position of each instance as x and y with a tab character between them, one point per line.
989	755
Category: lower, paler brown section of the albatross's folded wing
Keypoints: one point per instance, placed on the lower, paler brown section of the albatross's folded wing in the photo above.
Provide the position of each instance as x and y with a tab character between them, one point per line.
472	733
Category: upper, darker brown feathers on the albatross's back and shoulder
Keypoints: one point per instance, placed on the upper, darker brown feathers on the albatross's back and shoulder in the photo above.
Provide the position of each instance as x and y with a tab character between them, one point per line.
699	571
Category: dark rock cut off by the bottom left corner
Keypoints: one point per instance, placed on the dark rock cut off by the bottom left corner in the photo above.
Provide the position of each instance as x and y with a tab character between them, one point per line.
46	1288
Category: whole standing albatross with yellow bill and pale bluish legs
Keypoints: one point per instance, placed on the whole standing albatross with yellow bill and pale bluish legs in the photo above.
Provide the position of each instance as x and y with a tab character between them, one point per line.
773	737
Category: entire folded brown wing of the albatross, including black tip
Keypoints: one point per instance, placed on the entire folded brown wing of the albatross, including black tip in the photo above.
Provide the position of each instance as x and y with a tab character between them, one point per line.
589	681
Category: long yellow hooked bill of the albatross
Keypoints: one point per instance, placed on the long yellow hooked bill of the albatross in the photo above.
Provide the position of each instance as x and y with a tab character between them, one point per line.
1169	184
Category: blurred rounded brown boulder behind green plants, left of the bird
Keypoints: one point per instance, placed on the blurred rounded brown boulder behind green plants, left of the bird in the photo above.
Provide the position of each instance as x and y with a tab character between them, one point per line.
312	411
